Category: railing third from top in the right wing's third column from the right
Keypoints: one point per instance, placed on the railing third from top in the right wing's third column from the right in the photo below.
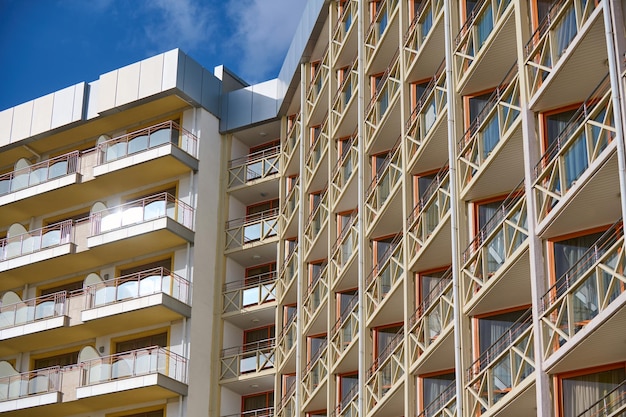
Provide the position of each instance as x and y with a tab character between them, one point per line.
429	212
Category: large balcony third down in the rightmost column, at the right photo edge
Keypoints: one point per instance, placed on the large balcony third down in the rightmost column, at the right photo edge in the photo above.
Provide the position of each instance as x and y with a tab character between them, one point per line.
580	312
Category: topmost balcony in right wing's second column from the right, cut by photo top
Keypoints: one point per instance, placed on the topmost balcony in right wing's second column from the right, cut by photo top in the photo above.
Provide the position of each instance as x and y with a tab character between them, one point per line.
483	49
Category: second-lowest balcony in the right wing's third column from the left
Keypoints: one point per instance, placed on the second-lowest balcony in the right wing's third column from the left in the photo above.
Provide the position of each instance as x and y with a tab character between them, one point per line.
344	354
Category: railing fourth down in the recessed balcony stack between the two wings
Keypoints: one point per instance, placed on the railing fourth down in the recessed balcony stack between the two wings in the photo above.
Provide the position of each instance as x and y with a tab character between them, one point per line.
251	357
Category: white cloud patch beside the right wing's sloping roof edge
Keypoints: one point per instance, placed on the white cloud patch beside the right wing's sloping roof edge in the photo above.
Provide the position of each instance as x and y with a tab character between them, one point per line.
263	30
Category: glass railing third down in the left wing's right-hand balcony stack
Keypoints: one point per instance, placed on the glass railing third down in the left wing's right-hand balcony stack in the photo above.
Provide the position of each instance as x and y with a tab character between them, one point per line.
137	285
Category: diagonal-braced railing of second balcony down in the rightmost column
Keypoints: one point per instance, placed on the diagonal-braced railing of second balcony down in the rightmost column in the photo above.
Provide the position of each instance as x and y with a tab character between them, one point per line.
580	143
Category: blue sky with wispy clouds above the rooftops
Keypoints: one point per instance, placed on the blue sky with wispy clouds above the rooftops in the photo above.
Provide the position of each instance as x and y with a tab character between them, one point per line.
47	45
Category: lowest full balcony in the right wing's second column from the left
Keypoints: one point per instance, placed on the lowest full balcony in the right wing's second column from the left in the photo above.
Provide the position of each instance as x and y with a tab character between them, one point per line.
315	380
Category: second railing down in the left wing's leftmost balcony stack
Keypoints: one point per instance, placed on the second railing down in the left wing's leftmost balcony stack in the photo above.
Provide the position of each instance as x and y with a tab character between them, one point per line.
37	240
